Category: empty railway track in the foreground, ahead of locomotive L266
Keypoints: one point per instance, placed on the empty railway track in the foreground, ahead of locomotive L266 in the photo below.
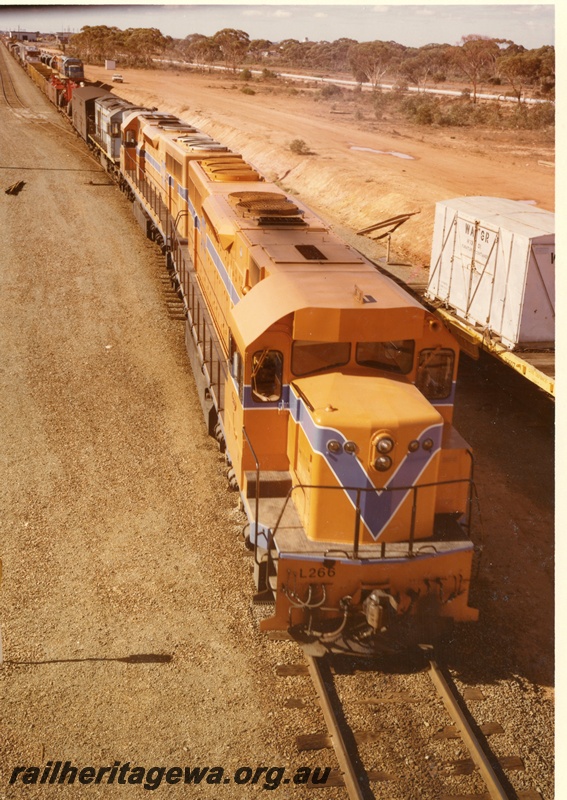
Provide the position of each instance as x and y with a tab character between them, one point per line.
414	724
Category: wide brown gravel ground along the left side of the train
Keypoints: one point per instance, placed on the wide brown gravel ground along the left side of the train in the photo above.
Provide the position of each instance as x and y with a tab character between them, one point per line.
124	602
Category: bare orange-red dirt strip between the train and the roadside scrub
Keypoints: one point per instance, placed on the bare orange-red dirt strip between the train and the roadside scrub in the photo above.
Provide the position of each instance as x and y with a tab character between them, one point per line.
352	187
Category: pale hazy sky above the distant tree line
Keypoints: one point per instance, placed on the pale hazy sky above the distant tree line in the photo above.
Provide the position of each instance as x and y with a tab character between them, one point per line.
531	25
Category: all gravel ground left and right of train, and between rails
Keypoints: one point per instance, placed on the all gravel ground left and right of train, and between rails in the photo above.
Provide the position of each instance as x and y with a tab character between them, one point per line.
125	609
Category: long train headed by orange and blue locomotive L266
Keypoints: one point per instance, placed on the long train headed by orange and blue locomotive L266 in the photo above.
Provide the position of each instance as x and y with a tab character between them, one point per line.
328	387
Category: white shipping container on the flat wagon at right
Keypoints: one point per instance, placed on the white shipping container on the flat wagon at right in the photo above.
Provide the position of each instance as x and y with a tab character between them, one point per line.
493	263
